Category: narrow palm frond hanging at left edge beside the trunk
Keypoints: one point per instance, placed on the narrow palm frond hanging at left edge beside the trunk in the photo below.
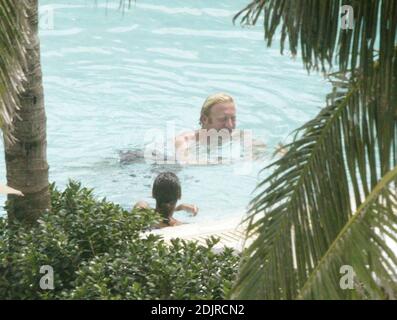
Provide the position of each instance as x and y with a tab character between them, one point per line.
12	61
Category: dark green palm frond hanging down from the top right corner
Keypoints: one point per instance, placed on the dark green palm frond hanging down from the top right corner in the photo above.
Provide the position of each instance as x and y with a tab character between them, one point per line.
314	26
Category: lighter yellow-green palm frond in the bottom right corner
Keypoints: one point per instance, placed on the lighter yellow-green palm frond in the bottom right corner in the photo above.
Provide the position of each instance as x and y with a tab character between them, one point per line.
362	245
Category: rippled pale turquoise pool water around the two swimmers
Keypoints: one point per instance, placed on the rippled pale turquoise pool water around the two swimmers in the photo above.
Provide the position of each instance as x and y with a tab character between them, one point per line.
110	77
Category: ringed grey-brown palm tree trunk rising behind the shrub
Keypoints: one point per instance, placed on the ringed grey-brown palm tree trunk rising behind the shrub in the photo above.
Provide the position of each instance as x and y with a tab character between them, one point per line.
26	159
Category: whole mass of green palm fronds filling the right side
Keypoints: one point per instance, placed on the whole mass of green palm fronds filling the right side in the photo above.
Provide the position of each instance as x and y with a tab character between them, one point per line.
331	200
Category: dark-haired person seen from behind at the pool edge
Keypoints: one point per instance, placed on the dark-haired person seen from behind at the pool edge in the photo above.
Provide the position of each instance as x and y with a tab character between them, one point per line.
167	191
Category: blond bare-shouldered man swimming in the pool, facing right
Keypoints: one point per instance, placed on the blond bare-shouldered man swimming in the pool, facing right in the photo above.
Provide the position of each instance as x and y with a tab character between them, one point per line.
217	120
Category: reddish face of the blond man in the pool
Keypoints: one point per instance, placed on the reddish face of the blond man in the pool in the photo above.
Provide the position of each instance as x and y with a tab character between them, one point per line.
222	116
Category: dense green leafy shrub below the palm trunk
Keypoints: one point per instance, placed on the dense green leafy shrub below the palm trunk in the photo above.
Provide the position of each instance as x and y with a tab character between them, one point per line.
97	251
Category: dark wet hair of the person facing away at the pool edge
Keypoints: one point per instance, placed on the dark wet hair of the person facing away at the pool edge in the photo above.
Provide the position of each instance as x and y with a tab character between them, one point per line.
166	188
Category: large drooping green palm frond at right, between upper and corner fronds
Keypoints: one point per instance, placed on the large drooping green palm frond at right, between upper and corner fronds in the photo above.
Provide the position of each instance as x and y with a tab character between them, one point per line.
333	166
